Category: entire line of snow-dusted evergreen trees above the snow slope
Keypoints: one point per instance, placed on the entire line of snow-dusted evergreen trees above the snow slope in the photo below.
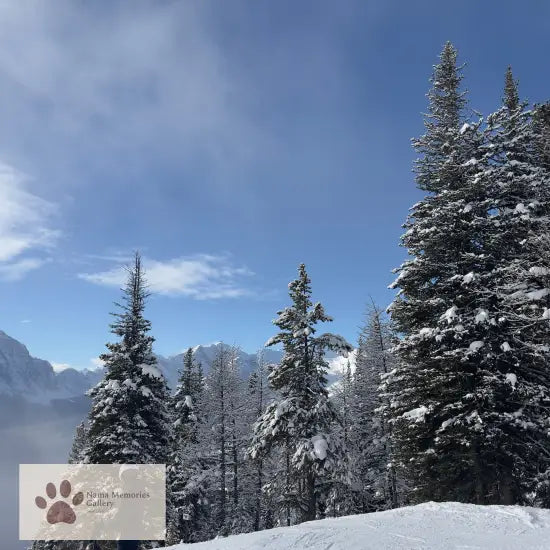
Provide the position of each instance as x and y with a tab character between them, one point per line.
445	398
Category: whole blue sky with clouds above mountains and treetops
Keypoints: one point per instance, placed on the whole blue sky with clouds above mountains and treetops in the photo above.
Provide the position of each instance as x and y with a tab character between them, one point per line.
228	142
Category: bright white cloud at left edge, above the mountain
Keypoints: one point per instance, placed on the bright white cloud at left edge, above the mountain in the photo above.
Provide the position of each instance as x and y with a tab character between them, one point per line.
25	226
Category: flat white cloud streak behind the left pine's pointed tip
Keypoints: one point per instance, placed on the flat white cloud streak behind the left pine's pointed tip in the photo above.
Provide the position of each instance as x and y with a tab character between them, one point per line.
201	277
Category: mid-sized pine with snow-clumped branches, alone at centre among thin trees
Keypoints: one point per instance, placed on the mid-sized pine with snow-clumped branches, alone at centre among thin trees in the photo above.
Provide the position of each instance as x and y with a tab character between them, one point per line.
300	421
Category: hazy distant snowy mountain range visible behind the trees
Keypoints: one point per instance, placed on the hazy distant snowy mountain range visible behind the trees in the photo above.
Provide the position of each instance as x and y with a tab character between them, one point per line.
41	407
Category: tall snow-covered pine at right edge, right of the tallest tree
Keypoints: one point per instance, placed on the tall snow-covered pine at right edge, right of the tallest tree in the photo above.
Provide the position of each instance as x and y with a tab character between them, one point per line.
515	389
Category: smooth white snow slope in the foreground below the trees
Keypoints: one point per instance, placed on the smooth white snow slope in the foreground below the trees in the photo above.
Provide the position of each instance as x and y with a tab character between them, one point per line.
440	526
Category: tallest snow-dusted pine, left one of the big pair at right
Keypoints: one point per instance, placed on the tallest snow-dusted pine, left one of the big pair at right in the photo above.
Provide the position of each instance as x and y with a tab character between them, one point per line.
433	421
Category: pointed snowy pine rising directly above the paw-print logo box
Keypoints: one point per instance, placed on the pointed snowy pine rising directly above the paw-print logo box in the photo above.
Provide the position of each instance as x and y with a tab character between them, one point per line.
129	422
